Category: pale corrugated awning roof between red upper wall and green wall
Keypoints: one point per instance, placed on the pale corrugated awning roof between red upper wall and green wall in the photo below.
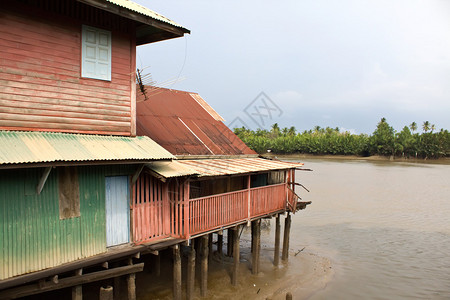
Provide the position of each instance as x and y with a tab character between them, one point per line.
18	147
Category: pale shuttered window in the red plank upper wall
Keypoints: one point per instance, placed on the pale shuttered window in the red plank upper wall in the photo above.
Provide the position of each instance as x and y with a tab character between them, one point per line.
96	53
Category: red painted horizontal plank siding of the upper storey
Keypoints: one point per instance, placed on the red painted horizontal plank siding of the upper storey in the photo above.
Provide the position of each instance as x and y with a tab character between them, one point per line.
40	77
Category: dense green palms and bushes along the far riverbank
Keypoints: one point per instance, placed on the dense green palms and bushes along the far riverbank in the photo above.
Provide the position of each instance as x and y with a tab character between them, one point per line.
384	141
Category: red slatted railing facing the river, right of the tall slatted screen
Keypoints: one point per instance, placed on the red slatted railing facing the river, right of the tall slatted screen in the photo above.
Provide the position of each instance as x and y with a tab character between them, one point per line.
208	213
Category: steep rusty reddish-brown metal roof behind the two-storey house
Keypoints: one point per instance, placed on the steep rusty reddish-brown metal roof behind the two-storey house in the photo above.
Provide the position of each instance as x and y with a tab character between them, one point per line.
185	125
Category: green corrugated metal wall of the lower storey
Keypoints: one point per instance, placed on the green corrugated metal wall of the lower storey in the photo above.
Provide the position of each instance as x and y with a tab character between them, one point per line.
32	237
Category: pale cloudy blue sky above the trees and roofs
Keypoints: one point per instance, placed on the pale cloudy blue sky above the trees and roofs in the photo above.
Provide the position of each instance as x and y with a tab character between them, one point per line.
304	63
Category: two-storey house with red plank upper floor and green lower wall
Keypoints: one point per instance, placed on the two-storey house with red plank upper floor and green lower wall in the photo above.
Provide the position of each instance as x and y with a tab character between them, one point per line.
69	154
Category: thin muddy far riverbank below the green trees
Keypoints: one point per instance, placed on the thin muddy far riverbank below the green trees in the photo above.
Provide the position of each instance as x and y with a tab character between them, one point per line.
443	160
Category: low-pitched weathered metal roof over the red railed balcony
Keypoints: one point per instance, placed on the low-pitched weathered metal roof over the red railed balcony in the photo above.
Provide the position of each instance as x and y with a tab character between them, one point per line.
219	167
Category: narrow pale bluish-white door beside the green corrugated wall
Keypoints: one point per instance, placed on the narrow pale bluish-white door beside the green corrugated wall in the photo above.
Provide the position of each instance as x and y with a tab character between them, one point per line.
117	210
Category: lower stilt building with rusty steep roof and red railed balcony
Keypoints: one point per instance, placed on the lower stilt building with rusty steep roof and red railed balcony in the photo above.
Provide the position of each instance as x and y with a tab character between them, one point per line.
228	183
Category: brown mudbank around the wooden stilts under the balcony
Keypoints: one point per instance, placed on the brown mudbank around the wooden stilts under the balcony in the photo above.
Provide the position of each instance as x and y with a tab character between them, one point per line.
303	275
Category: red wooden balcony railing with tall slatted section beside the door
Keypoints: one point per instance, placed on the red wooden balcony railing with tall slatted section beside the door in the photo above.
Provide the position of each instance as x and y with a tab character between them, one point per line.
161	211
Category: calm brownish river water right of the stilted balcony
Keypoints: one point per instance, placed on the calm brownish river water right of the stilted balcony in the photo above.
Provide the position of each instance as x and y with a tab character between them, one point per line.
384	225
